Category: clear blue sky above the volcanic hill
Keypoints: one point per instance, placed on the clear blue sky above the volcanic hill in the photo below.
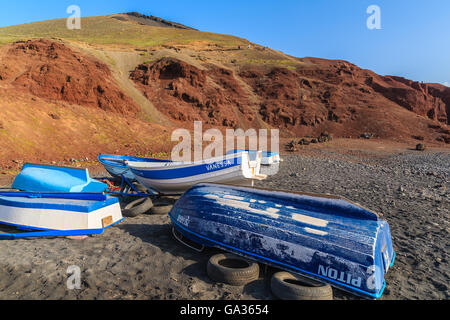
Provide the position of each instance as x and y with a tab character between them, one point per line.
414	40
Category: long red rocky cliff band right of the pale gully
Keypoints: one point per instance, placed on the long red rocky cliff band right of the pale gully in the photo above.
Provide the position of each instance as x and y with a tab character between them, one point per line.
315	96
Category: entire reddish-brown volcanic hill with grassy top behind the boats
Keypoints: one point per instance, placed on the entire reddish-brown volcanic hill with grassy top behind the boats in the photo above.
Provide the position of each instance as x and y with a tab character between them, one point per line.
123	82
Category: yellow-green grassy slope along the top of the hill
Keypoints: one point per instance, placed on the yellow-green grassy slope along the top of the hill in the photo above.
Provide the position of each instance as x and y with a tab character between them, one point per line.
107	30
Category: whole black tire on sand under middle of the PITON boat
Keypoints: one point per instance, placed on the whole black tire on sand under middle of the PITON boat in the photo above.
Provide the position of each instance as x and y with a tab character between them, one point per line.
231	269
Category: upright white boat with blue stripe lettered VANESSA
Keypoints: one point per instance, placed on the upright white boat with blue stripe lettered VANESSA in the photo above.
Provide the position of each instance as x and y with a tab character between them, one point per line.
177	177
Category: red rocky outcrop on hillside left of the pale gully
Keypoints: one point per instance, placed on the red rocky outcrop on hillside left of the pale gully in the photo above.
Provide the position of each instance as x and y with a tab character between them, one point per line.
53	71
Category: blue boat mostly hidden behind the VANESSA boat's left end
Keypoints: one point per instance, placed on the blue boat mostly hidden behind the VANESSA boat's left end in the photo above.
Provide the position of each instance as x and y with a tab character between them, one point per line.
116	164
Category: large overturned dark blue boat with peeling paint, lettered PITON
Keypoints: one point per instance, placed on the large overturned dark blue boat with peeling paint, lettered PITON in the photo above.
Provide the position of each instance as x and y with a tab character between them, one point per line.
326	238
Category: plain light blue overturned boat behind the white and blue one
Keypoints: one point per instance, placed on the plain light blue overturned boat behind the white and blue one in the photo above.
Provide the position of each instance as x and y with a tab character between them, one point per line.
45	178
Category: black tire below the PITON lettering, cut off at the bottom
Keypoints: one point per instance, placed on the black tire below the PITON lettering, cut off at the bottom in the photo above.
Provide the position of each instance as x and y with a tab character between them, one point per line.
287	286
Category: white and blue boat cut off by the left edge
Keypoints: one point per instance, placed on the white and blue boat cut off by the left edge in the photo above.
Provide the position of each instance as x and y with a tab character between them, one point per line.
58	214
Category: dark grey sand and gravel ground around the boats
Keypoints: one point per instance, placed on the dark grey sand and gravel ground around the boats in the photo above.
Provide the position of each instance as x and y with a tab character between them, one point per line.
139	259
